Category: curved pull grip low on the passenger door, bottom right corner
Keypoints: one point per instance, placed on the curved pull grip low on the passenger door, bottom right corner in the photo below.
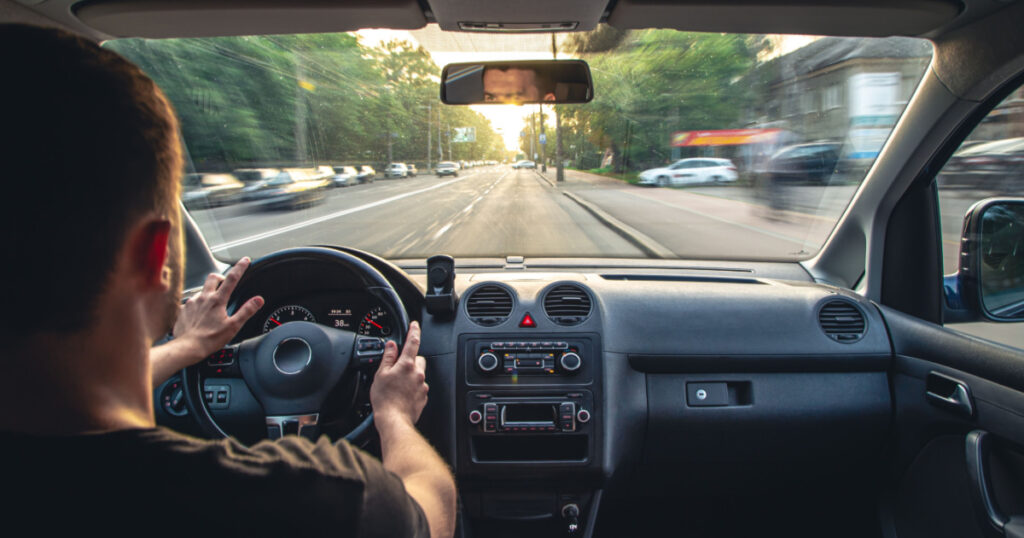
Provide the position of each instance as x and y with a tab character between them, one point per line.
993	521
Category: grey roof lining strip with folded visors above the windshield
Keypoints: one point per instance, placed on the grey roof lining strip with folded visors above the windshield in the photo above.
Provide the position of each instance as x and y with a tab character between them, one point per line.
162	19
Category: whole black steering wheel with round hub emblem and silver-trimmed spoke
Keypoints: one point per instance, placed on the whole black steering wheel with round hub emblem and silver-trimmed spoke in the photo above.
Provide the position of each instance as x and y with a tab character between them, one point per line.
293	369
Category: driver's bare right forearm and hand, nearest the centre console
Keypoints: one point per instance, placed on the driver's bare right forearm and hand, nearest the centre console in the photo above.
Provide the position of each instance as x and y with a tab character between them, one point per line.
399	395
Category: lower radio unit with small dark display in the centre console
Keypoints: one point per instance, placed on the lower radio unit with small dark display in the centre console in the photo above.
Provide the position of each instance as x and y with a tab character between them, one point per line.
530	415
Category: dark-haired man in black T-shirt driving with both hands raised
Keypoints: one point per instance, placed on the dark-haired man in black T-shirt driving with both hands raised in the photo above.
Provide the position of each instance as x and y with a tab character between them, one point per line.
94	276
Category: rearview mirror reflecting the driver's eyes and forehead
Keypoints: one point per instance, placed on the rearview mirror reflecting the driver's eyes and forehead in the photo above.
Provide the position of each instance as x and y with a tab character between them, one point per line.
550	81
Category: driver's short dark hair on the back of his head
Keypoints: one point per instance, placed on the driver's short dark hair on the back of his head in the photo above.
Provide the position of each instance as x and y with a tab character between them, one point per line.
91	147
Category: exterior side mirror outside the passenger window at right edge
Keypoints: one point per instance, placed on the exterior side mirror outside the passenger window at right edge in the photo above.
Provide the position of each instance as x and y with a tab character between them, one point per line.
990	282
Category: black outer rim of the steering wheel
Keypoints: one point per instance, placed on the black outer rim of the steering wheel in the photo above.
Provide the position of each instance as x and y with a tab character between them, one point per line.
371	279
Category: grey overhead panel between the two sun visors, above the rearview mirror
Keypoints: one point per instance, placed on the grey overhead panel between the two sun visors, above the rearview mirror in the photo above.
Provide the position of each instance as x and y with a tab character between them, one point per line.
518	17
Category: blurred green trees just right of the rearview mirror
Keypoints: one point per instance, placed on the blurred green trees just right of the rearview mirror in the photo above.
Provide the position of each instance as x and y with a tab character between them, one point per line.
652	84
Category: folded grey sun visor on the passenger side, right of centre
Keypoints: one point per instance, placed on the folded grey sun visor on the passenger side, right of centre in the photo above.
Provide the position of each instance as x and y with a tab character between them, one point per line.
836	18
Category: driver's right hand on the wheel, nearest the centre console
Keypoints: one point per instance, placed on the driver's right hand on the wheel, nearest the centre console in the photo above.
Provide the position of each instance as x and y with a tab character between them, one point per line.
400	390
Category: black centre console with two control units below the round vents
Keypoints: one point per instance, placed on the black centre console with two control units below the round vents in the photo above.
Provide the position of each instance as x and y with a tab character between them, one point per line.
530	434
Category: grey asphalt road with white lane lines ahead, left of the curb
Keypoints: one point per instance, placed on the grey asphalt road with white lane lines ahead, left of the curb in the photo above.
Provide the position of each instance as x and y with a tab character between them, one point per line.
485	213
